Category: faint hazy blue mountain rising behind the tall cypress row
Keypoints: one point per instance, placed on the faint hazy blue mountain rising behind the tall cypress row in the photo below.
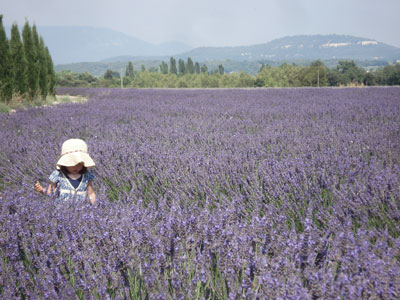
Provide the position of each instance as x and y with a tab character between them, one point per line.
72	44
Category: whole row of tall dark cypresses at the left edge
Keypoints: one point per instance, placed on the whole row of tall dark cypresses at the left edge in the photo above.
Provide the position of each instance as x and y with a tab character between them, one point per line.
26	66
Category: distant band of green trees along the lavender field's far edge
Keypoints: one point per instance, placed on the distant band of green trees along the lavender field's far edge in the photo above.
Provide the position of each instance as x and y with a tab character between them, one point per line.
189	74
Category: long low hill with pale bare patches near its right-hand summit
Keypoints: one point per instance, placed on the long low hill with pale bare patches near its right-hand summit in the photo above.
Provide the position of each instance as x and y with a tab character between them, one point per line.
302	47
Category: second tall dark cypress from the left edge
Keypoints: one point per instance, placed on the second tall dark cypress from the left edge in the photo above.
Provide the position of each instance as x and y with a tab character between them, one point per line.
19	64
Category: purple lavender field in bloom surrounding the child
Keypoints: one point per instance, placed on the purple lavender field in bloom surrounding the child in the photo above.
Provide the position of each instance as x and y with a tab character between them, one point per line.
207	194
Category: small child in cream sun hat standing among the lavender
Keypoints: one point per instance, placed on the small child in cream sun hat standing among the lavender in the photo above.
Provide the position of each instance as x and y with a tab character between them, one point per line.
71	179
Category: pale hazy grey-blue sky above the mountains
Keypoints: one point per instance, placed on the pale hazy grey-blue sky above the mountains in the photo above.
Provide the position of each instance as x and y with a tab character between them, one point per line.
216	22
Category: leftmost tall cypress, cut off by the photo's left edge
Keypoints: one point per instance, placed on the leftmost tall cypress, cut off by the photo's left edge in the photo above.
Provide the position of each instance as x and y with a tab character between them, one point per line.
5	66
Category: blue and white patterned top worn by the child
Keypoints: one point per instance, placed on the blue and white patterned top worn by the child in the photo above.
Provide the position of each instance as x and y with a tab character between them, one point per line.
65	190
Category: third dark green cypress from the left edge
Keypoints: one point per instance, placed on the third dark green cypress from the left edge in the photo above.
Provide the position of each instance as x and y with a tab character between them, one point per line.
30	55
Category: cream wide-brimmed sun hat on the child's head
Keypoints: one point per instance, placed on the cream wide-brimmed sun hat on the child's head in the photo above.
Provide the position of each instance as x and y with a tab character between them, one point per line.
73	152
